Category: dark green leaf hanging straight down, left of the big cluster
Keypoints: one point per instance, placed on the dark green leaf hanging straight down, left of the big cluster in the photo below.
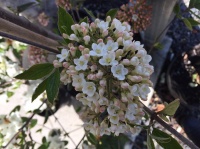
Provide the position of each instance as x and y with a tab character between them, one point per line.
52	86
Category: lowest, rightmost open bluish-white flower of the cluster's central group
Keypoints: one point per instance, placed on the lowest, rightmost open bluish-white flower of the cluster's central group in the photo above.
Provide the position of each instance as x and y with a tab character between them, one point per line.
119	71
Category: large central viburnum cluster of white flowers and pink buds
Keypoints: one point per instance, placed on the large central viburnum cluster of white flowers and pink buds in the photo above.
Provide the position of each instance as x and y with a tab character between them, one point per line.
111	72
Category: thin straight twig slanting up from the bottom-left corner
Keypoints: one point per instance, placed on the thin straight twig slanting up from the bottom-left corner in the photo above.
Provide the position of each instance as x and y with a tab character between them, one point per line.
21	129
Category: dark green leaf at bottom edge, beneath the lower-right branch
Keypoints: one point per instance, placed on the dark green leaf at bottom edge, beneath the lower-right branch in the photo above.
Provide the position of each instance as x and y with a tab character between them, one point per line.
169	144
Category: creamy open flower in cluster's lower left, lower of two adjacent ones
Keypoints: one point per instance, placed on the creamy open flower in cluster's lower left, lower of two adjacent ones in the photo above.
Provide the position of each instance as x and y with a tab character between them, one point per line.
89	88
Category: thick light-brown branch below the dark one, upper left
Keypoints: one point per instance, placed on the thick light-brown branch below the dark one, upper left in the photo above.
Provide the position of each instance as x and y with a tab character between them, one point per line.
13	31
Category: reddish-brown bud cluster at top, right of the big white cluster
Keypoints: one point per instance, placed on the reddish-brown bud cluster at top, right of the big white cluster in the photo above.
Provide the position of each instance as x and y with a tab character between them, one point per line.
136	13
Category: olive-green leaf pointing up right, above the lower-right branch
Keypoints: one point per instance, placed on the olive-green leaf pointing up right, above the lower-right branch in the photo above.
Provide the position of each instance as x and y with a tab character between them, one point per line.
171	108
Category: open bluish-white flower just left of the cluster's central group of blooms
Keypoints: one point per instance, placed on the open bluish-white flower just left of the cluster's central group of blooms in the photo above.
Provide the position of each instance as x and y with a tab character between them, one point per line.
81	63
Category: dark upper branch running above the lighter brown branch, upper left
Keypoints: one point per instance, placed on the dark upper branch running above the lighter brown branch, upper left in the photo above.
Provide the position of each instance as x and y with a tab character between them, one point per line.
23	22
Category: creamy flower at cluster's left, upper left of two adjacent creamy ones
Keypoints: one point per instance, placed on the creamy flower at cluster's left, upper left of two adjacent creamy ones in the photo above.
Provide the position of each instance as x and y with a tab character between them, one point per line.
78	80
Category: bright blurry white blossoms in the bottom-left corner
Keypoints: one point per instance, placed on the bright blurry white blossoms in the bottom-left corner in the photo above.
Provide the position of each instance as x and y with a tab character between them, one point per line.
9	126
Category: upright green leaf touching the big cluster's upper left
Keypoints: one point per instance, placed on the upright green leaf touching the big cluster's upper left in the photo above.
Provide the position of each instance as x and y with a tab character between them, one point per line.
65	19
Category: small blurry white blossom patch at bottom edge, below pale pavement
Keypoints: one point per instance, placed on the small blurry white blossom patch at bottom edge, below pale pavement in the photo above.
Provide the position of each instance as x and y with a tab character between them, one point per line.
55	140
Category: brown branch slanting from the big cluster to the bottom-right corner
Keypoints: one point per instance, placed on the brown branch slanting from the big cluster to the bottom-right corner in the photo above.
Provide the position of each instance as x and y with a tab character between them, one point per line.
170	129
